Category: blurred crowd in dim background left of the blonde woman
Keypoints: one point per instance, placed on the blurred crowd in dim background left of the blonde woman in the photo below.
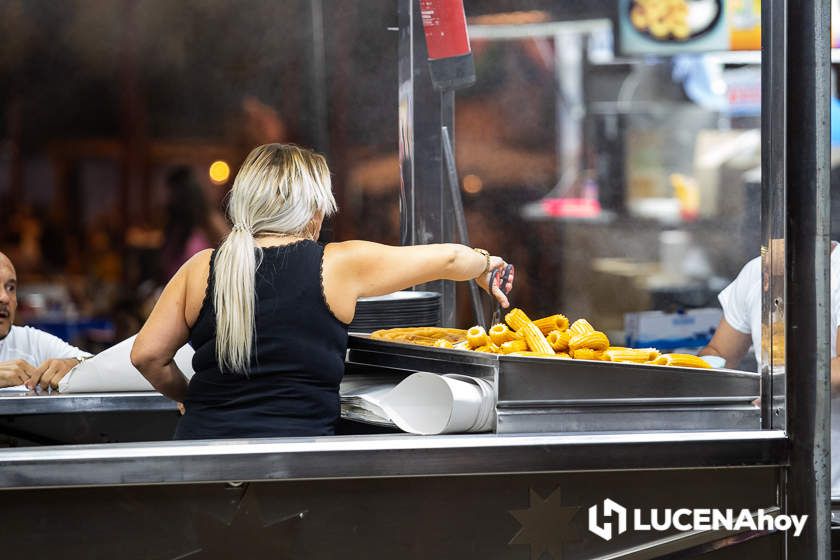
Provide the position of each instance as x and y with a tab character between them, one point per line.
99	289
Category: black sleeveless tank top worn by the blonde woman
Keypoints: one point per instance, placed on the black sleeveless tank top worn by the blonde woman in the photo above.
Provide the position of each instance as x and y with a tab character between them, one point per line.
297	358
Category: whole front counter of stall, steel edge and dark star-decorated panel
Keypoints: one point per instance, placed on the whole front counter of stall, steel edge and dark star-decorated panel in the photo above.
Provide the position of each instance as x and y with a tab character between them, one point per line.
387	496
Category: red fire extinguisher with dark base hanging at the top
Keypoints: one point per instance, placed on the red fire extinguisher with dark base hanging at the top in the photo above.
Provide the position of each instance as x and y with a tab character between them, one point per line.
450	58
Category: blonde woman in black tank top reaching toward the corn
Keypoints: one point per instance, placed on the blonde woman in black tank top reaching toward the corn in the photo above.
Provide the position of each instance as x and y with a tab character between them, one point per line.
267	313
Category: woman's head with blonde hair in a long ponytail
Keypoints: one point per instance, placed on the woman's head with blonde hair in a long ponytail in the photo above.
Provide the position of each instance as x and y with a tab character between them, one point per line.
280	189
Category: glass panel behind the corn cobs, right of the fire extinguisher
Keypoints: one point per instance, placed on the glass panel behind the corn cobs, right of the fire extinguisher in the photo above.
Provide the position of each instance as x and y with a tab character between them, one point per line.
619	169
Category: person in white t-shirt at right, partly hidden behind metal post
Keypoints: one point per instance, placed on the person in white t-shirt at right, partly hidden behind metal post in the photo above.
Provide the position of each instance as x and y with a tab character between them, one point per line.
741	326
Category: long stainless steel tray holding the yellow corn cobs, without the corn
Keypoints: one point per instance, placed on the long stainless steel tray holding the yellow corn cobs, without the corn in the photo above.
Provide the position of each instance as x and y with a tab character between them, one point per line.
550	395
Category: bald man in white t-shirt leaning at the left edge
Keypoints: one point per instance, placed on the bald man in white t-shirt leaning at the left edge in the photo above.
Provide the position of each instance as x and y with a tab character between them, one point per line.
29	356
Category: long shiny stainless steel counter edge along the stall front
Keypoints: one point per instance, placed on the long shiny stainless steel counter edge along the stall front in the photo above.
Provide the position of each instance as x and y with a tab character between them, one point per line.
381	456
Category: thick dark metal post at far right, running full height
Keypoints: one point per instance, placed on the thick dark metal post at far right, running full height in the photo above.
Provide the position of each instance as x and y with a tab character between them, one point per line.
807	266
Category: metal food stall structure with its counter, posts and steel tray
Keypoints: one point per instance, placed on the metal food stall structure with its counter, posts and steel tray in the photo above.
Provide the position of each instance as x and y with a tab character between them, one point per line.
576	445
